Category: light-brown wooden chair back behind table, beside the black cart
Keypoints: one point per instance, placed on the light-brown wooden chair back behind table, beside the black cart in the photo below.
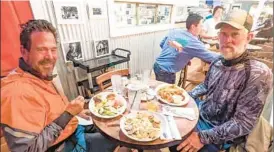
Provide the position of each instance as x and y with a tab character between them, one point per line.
101	80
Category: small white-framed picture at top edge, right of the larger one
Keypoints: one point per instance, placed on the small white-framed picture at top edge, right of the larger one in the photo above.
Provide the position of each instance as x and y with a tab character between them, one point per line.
97	10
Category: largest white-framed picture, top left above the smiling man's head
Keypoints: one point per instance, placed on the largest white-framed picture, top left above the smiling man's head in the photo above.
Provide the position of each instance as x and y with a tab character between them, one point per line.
69	12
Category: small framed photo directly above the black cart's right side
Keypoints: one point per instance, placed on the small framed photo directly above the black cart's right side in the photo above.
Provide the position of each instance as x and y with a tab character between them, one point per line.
101	48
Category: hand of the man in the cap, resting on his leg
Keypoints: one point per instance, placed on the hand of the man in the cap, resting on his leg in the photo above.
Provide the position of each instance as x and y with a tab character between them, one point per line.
191	144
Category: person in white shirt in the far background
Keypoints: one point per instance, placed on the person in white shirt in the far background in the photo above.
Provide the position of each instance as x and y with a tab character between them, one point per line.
209	31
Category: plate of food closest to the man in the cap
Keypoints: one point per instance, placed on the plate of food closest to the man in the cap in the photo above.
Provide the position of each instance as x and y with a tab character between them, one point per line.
172	95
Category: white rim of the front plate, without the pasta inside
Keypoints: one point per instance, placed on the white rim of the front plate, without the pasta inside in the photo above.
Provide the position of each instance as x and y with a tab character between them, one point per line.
132	115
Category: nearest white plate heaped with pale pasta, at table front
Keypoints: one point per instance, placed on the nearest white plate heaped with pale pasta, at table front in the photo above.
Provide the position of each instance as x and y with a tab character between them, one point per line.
141	126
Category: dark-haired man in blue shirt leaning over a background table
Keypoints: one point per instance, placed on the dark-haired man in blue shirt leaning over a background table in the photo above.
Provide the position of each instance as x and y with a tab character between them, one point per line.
172	59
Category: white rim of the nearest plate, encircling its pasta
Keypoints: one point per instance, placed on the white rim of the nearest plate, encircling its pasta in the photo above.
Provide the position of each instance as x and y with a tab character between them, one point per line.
122	120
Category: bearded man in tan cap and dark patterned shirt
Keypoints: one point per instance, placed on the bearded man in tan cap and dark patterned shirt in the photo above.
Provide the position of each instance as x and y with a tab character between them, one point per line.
235	89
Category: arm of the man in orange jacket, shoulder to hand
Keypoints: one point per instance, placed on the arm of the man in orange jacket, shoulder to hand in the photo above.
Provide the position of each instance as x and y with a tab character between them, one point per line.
23	119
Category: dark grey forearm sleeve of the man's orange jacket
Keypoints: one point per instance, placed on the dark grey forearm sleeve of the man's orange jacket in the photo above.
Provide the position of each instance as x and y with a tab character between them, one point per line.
23	141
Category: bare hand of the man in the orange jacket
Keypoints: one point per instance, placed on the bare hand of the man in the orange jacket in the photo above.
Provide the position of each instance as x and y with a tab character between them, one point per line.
76	106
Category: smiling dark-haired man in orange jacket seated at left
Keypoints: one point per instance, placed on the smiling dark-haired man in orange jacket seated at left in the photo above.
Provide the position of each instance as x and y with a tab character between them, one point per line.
35	116
